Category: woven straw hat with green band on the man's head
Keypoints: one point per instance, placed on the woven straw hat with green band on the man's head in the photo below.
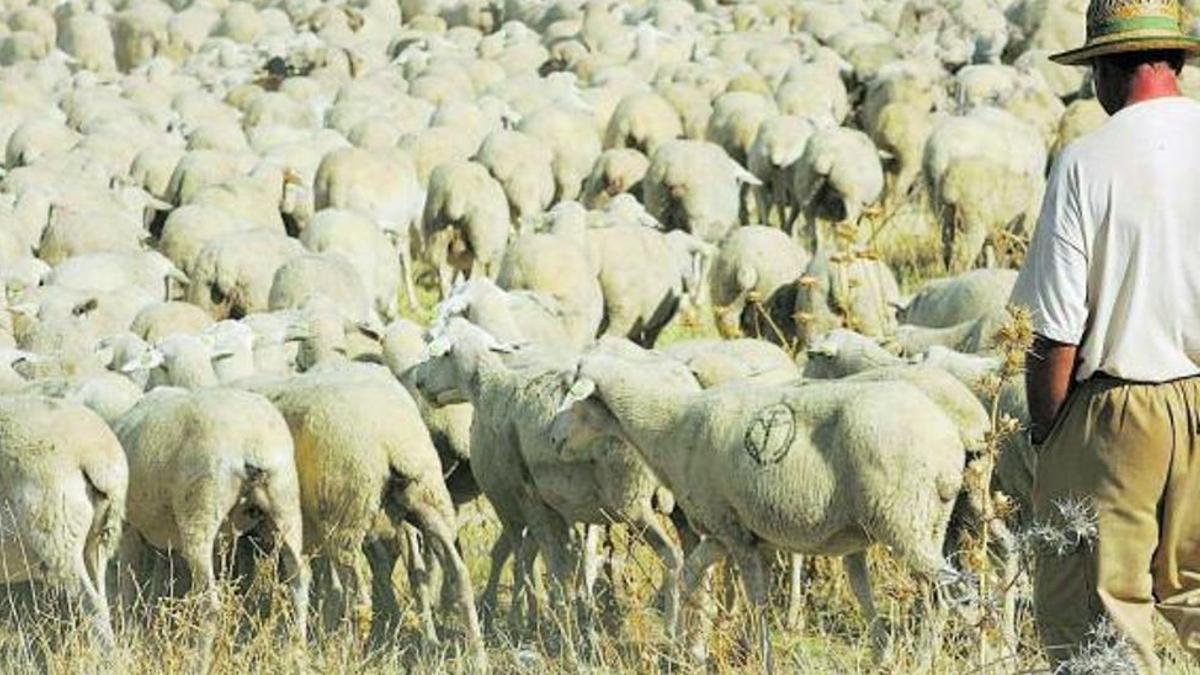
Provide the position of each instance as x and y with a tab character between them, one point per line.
1115	27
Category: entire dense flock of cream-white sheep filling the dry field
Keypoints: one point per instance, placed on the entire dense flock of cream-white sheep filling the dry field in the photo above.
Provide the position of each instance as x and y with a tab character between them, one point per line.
214	216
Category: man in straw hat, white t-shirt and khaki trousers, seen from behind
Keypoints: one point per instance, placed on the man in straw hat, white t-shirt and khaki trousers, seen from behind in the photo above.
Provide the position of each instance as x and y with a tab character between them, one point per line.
1113	284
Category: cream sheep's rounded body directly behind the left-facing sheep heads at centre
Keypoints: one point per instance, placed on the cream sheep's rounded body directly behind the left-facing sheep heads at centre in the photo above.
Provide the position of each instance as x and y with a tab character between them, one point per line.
559	268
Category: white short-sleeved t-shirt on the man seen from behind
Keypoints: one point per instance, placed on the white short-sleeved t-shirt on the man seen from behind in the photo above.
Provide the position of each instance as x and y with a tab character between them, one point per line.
1115	264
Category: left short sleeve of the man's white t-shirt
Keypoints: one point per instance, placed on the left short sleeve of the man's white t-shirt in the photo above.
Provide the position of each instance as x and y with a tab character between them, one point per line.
1053	283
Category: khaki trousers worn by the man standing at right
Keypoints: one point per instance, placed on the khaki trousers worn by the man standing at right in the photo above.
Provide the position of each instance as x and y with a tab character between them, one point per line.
1132	452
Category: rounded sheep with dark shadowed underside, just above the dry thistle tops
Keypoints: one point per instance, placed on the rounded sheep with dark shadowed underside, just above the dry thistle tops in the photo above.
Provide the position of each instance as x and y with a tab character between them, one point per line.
837	180
